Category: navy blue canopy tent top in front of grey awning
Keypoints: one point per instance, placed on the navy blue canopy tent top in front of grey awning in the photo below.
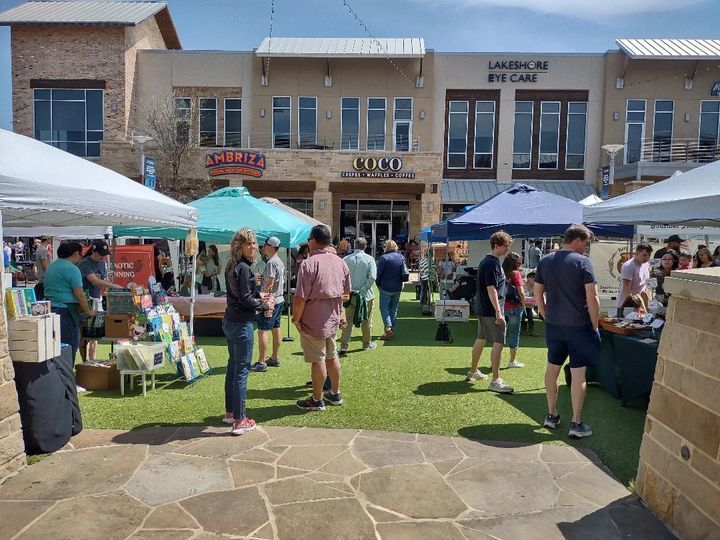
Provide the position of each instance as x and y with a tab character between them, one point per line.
521	211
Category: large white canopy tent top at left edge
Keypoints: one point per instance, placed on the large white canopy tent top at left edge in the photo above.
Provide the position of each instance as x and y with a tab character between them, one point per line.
41	186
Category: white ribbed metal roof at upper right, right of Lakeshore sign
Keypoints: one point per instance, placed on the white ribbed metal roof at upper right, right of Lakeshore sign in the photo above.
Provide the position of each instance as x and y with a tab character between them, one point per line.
671	49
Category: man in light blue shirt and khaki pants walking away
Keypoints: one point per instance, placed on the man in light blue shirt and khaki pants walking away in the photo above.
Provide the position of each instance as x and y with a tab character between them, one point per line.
363	272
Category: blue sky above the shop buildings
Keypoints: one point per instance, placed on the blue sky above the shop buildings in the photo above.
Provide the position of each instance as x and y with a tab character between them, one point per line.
446	25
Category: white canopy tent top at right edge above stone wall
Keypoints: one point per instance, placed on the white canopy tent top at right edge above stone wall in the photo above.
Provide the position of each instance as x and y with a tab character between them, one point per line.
691	198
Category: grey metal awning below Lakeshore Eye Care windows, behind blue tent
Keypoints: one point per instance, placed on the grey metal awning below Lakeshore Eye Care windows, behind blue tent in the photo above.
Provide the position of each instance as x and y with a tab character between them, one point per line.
478	191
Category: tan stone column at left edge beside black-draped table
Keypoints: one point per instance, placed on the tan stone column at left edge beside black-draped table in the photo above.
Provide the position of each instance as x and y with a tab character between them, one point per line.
12	447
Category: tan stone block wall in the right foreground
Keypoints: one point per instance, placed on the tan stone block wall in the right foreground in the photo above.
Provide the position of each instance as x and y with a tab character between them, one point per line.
679	472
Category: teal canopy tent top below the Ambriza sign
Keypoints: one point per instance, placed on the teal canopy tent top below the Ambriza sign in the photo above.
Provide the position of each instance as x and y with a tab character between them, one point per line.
226	210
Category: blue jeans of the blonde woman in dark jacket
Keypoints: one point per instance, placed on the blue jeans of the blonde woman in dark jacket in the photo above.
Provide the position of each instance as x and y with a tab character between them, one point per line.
240	343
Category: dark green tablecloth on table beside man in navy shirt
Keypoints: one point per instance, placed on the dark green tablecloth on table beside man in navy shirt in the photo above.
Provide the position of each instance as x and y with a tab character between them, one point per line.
627	366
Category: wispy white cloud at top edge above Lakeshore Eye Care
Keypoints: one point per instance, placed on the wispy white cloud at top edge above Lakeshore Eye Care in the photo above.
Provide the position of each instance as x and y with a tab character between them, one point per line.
585	9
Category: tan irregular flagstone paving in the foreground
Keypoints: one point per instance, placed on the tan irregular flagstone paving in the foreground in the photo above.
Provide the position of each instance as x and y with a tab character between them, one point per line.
198	482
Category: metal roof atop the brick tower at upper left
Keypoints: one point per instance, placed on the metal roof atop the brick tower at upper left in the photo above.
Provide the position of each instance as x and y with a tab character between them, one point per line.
120	13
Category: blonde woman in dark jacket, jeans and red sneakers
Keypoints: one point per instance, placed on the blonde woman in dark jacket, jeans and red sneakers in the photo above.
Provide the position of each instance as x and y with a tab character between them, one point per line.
244	302
